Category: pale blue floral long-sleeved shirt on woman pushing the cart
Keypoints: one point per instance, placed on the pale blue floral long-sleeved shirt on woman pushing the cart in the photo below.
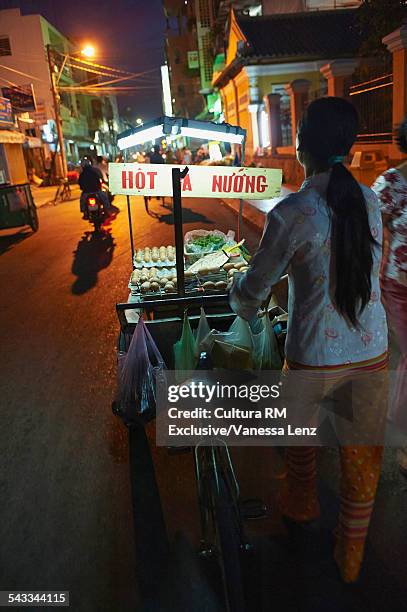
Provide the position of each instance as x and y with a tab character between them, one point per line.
296	240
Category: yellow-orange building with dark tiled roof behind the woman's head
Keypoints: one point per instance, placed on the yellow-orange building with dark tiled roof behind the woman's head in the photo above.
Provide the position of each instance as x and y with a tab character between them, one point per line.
275	64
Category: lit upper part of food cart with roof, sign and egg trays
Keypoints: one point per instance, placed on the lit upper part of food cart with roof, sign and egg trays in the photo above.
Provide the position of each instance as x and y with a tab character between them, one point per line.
167	277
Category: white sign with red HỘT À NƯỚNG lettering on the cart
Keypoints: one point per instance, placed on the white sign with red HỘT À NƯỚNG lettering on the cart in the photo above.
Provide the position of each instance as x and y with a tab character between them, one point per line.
200	182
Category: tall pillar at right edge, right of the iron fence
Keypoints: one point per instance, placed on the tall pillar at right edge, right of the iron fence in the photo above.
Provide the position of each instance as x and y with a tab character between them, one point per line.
396	43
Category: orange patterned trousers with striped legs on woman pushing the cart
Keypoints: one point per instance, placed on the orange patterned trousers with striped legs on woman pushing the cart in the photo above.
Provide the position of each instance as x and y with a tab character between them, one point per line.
360	472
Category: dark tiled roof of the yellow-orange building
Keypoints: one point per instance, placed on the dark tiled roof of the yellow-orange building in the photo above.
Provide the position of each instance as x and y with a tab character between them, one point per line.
317	34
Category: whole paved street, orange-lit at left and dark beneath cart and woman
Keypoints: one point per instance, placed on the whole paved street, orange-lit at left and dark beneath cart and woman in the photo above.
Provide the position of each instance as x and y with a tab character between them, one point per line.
65	513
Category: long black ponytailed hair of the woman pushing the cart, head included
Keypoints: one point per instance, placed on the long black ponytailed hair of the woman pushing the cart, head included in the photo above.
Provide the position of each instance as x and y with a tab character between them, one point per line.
326	133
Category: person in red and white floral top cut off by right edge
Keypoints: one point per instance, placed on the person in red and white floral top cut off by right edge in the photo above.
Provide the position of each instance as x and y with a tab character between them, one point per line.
391	187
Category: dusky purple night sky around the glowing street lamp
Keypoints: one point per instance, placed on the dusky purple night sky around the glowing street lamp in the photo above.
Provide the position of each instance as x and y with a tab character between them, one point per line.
128	34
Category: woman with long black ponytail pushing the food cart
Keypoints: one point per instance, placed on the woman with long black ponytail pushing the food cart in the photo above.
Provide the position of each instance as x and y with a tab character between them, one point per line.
327	237
